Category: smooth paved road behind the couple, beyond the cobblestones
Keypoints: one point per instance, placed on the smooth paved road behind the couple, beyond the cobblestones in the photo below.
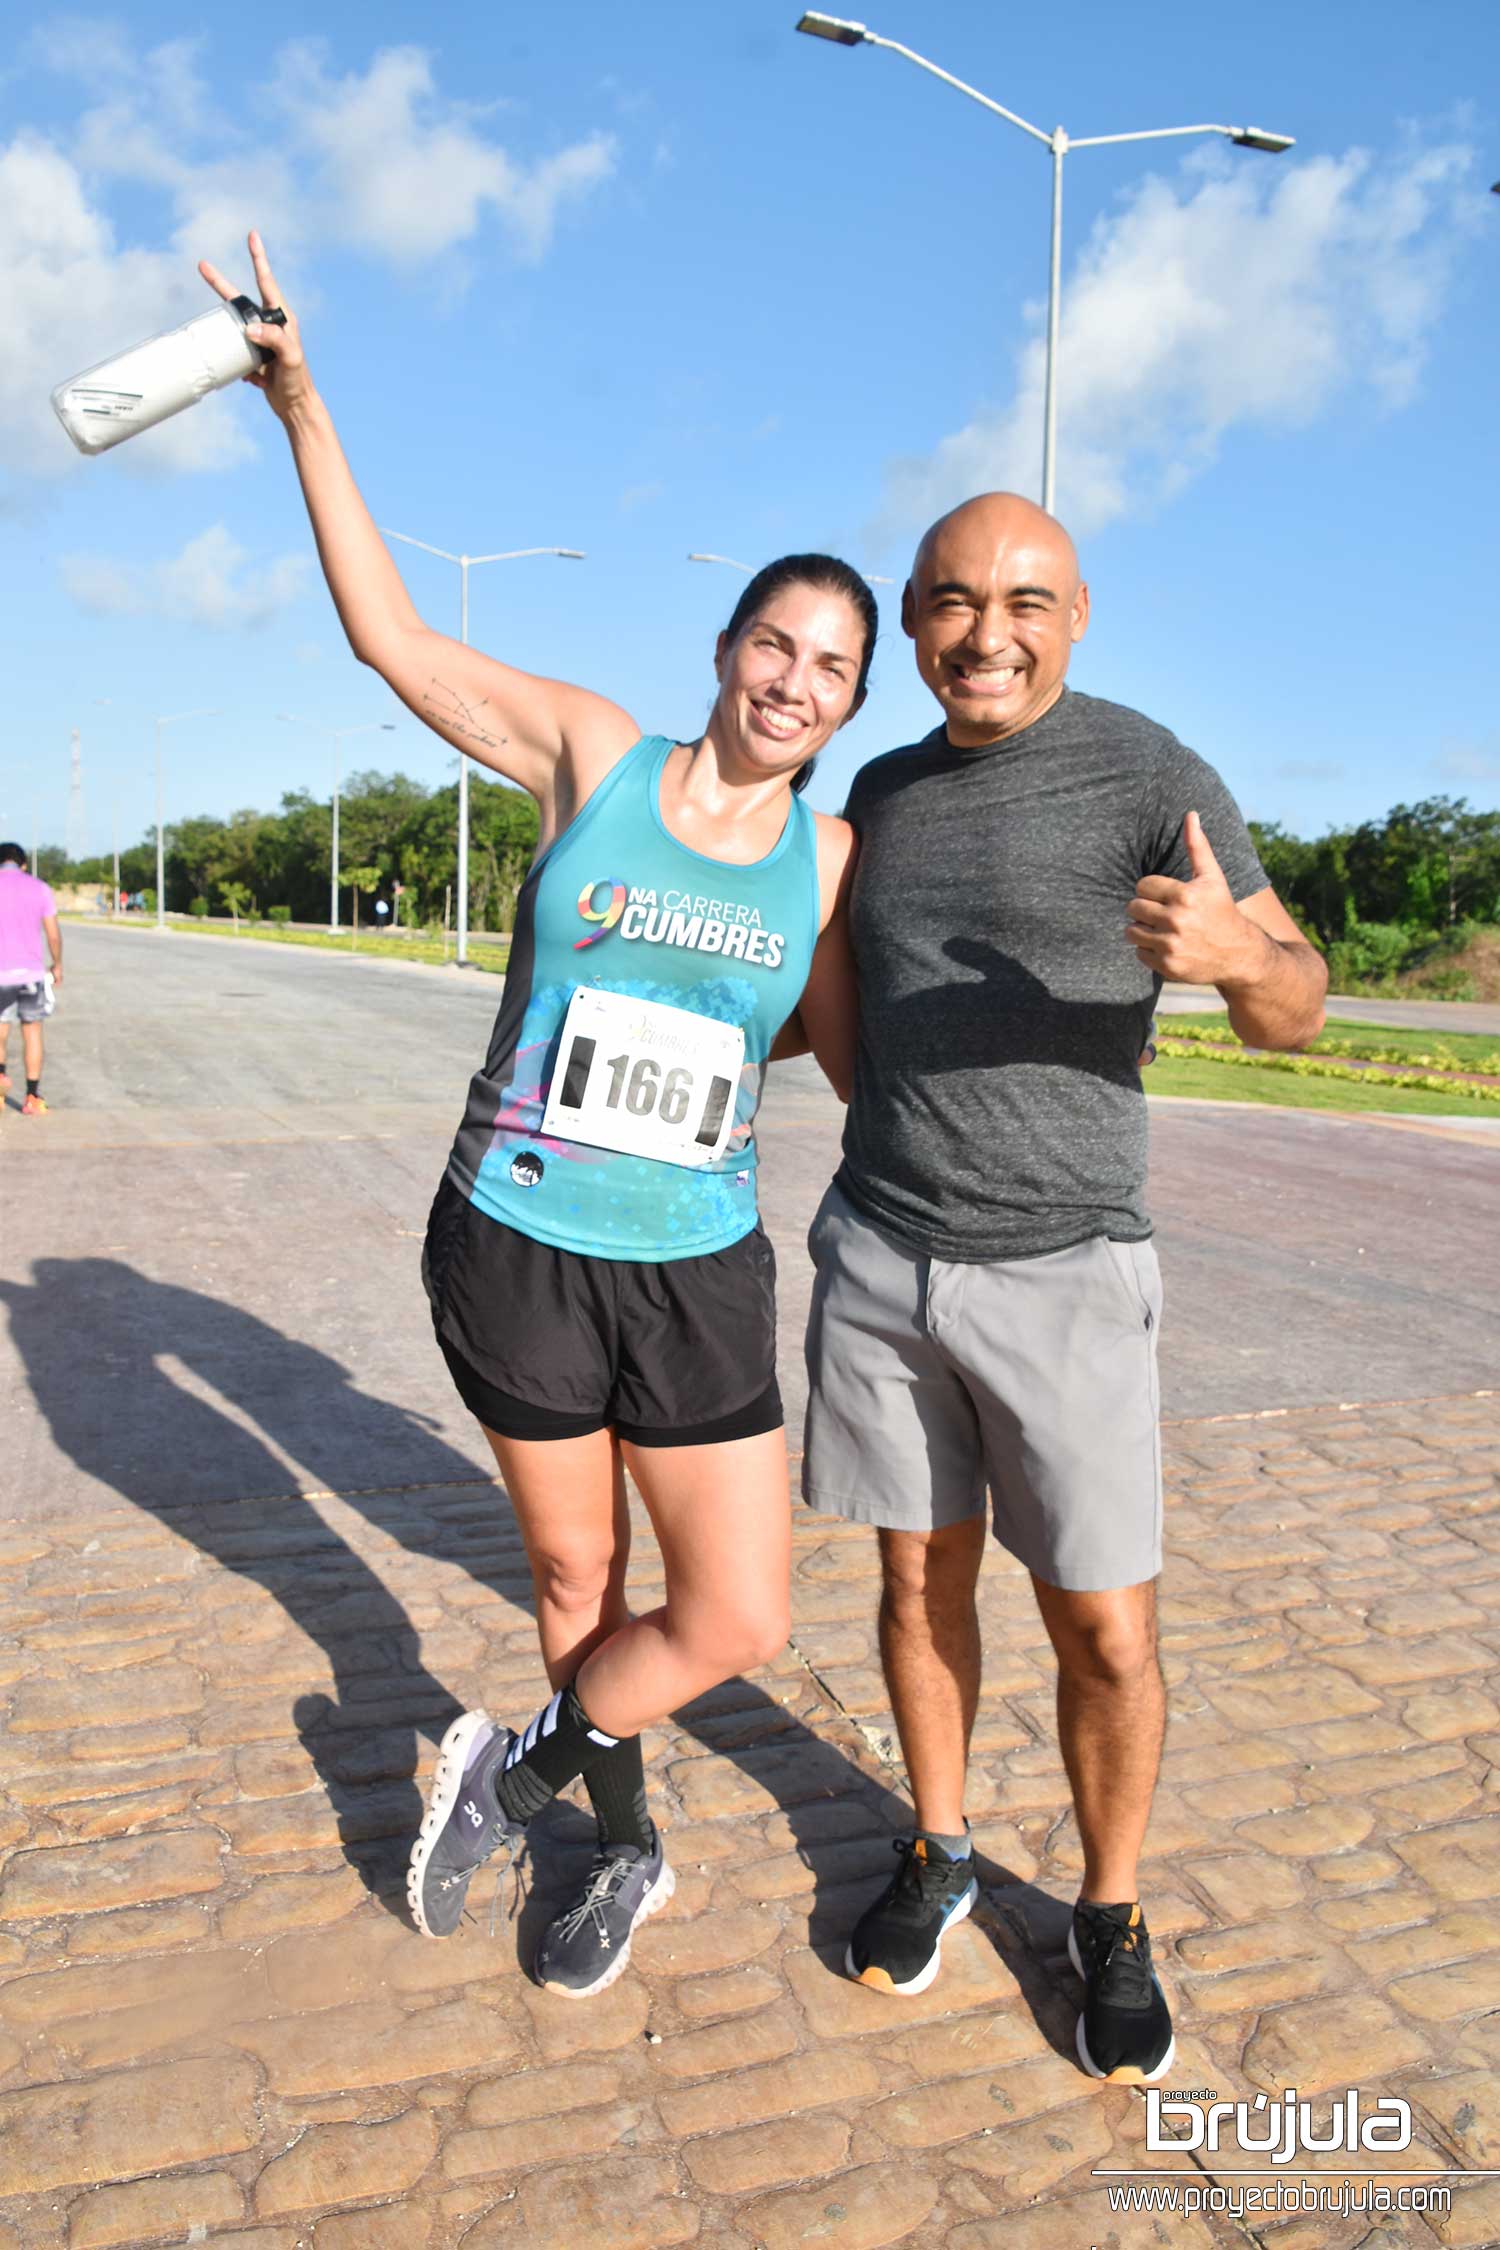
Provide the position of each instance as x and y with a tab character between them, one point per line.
210	1248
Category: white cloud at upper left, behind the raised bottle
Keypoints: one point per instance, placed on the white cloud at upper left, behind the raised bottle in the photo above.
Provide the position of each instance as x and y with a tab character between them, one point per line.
374	161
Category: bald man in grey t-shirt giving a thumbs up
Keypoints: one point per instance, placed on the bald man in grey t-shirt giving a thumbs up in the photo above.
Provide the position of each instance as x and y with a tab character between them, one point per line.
986	1297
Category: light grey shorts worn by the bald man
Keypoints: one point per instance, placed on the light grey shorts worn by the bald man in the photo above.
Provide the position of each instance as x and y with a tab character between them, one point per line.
1033	1376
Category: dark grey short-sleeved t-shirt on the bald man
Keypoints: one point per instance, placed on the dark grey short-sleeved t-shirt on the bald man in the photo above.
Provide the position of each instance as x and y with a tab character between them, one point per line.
1002	1011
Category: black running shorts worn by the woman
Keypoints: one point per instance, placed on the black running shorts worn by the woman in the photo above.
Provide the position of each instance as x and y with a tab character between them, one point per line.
552	1344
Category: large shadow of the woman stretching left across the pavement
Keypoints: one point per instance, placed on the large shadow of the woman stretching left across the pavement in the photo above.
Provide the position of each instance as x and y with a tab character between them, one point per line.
93	1338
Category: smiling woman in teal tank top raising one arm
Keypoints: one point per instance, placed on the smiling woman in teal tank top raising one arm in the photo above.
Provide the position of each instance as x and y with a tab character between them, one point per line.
599	1279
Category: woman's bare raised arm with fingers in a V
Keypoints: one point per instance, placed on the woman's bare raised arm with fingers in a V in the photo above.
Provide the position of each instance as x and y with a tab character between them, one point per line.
512	721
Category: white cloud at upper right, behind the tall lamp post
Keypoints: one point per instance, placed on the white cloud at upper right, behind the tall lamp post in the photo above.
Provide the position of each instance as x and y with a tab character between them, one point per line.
1238	294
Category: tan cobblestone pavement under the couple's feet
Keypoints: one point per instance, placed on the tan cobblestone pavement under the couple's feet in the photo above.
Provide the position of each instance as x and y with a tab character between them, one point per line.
217	2024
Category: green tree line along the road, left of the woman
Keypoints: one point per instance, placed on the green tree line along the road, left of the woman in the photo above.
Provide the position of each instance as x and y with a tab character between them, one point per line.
390	825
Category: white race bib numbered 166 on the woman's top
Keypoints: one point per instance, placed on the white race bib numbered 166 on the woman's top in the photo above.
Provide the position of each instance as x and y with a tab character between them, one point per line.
644	1079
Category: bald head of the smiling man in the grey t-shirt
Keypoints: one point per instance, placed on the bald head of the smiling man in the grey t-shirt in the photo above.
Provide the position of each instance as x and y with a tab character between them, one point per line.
995	604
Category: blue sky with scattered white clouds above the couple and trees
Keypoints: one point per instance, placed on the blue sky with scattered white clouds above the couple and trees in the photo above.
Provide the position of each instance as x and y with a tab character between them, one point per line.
667	278
